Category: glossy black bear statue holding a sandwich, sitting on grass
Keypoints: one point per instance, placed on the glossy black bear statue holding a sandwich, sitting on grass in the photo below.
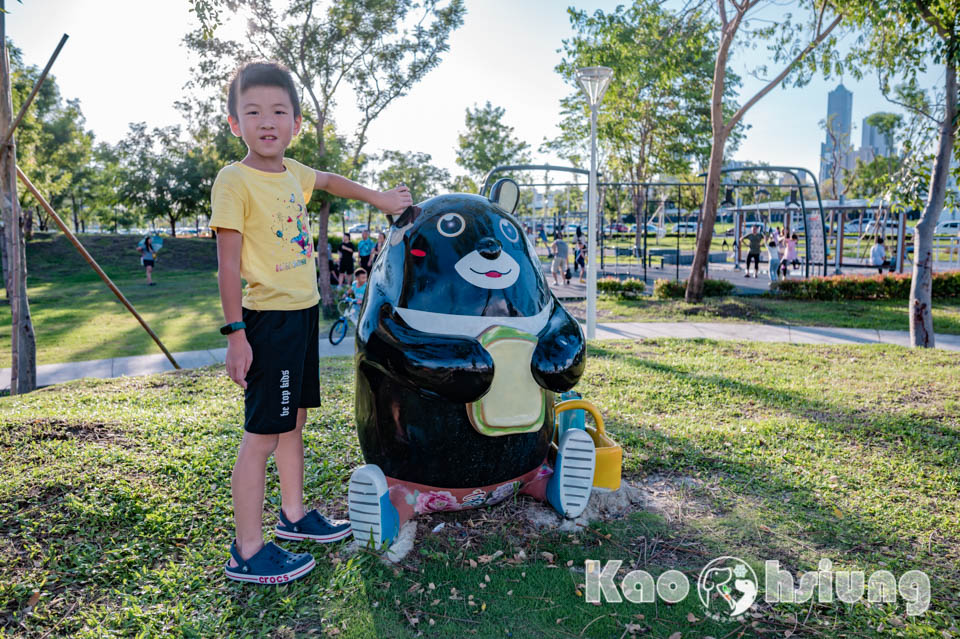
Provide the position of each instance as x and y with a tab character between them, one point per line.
460	349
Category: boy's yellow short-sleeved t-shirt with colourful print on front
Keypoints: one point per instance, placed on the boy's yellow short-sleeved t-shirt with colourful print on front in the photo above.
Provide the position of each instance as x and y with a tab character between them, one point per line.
270	209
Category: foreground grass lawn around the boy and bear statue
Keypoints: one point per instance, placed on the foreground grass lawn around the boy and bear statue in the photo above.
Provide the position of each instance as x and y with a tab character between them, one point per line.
115	512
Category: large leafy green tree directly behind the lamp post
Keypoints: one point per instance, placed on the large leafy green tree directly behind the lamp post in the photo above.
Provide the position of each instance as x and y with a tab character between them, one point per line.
654	119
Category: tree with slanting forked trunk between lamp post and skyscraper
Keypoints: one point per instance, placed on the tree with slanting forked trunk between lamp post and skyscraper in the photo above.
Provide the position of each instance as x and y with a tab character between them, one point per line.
793	46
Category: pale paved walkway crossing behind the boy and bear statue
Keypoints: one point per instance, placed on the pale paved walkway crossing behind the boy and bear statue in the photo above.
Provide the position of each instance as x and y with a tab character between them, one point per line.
146	364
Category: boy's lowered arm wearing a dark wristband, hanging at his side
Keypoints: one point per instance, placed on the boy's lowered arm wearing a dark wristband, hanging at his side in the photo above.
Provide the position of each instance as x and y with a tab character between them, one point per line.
239	353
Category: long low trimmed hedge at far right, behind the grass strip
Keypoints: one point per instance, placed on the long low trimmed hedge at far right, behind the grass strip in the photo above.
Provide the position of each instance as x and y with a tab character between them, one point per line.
864	287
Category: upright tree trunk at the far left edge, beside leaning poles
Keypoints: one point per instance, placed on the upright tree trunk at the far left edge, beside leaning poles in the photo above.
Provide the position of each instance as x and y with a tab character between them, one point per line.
23	374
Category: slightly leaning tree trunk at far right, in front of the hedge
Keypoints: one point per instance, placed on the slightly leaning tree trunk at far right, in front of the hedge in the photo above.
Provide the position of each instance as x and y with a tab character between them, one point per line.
921	285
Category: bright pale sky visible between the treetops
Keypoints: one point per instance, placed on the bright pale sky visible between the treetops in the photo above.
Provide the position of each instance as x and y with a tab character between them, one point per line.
126	63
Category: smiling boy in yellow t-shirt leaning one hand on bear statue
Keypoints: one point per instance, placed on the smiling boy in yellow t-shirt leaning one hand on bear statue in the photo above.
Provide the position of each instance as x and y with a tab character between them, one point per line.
272	335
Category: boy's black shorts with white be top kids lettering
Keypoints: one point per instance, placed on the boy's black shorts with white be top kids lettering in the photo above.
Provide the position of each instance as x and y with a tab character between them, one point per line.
285	373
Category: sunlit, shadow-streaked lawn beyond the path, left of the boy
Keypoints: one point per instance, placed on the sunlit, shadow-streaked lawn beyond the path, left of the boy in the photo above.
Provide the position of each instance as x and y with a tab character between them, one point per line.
77	318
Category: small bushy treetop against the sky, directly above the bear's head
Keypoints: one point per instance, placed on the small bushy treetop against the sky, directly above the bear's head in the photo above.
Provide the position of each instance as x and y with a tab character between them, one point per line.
488	142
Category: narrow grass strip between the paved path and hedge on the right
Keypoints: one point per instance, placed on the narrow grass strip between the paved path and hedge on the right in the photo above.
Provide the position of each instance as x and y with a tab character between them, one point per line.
877	314
